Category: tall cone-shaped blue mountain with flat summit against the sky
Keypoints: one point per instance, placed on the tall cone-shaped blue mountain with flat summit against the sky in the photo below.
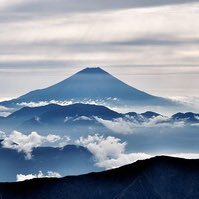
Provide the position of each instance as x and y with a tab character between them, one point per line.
90	84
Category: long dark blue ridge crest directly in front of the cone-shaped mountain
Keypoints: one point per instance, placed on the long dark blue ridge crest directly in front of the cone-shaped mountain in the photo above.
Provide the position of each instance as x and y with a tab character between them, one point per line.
57	111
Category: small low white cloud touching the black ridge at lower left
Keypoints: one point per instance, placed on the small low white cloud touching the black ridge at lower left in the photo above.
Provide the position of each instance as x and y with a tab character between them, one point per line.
50	174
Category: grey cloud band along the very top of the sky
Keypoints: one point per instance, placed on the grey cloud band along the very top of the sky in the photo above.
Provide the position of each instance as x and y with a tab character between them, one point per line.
63	6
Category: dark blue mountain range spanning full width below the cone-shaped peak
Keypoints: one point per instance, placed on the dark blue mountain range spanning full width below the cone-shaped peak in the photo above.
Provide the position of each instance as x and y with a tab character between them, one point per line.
56	117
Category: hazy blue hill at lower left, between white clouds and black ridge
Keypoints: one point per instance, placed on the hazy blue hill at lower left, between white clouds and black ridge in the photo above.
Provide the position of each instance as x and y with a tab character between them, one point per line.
69	160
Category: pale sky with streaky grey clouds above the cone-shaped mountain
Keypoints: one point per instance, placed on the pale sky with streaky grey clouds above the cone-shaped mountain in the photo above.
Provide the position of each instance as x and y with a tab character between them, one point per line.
150	44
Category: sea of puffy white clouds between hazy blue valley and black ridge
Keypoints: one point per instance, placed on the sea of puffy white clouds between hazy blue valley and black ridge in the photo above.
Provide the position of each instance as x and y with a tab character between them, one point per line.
108	151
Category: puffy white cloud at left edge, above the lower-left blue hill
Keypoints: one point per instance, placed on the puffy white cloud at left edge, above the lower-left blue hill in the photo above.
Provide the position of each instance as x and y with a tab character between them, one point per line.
25	143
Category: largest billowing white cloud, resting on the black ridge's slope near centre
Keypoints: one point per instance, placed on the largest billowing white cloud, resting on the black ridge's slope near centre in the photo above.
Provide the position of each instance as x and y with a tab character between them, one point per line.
109	151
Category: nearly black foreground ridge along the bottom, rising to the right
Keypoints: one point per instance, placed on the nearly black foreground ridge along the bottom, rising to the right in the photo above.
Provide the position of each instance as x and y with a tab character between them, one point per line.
159	178
